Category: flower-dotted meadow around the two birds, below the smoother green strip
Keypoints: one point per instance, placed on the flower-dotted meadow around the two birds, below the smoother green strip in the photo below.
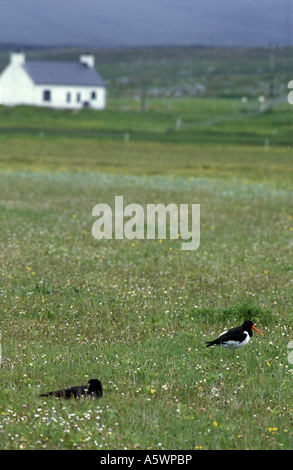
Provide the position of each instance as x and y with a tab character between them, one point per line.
137	313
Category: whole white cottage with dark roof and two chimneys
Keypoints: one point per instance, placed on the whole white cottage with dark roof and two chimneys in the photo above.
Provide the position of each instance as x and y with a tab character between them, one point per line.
55	84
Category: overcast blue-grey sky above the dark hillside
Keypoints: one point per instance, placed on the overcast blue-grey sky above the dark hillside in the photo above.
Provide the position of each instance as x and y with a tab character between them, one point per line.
103	23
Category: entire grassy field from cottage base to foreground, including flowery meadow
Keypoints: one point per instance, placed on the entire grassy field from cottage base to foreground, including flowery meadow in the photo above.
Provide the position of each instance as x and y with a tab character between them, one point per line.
137	313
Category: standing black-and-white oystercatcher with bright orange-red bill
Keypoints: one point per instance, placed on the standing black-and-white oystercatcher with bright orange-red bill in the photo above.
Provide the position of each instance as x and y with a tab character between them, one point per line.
235	337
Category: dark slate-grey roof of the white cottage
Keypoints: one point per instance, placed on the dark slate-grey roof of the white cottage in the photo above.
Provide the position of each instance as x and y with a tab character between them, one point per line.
62	73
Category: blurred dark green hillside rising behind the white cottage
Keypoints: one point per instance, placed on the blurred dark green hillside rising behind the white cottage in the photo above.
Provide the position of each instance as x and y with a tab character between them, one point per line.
185	71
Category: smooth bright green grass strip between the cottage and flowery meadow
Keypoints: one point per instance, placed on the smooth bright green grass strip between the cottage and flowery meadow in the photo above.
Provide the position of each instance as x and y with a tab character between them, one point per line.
201	121
